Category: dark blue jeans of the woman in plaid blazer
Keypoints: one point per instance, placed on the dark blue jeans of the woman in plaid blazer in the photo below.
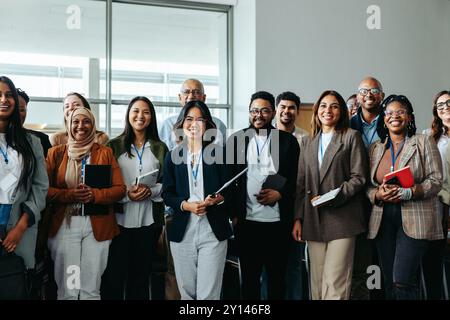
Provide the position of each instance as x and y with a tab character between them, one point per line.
400	256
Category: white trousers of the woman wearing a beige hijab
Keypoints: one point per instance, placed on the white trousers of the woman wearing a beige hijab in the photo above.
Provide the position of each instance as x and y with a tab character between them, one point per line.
79	259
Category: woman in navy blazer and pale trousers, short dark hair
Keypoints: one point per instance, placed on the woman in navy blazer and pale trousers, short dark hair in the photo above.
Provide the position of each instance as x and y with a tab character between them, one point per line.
200	226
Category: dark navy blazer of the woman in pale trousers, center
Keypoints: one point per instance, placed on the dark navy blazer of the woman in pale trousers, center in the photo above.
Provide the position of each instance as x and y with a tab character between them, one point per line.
176	190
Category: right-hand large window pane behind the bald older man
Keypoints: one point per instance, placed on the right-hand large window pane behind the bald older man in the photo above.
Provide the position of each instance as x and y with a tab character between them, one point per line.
156	48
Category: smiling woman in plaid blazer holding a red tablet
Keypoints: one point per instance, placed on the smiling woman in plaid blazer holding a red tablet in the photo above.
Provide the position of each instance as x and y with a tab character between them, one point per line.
403	220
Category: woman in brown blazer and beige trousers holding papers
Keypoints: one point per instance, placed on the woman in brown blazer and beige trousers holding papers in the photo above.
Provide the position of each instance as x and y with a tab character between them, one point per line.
334	157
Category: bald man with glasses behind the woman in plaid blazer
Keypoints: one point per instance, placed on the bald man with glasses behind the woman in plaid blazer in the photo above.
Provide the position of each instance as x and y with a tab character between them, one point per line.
369	122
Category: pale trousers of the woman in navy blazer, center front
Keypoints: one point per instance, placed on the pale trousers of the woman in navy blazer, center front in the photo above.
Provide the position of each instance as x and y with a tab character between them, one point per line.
199	261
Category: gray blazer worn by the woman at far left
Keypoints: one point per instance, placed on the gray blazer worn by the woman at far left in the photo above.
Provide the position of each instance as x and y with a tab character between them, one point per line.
32	201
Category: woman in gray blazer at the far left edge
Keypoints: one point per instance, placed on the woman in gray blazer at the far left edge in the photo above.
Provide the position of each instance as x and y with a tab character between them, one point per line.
23	180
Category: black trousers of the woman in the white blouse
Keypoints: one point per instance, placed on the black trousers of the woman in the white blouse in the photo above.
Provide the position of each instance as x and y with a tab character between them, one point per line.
129	265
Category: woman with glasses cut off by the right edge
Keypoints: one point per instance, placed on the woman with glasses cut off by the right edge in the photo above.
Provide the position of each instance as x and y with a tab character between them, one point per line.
432	262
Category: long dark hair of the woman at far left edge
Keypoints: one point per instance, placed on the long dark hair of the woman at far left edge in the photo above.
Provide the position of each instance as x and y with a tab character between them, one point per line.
16	136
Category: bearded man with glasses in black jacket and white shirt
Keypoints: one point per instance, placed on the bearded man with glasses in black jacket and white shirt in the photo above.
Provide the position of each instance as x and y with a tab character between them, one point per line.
263	213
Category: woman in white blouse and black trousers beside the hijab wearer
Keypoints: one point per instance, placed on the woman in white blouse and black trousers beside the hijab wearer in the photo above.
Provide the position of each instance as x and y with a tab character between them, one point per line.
140	214
